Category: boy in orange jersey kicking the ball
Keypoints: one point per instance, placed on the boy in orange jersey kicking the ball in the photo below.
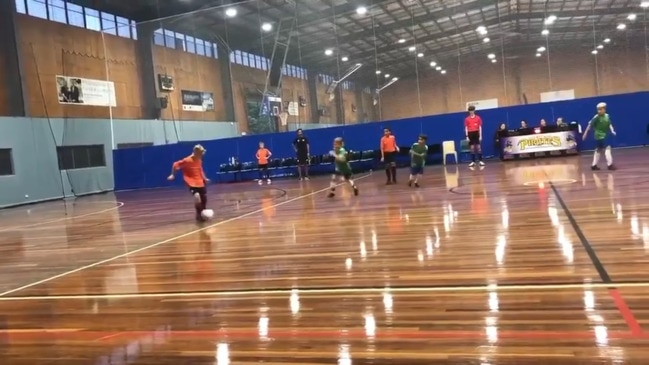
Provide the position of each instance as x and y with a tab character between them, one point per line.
194	177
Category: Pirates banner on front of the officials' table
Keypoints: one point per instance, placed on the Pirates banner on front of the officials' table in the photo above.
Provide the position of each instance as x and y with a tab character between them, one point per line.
543	142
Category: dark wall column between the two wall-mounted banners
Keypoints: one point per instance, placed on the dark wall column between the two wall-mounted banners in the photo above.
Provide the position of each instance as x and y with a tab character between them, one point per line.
146	68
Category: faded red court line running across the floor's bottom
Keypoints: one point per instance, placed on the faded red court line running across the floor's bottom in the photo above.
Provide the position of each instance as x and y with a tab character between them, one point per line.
287	334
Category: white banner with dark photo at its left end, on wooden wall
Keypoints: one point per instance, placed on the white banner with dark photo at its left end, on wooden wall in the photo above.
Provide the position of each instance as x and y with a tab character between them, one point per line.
80	91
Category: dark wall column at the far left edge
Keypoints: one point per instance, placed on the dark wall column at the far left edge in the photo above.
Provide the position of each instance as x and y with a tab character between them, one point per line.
9	52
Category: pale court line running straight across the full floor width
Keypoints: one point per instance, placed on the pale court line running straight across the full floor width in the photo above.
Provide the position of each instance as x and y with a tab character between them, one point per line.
334	291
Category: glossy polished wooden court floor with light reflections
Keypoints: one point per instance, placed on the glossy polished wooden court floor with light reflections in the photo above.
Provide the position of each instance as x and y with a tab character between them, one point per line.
527	262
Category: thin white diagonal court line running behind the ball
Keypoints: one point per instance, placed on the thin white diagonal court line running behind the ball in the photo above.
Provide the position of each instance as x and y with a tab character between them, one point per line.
167	240
